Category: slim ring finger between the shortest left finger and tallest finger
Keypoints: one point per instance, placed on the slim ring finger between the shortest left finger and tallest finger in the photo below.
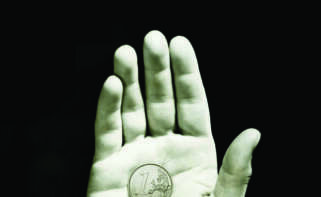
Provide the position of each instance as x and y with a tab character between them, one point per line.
133	113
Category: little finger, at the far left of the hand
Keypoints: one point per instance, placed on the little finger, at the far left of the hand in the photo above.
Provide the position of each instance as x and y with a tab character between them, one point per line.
108	125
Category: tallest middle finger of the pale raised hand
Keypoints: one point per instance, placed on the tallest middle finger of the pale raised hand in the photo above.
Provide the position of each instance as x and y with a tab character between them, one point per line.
159	90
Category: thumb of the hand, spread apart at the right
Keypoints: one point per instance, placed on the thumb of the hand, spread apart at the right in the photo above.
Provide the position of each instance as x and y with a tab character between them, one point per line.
236	169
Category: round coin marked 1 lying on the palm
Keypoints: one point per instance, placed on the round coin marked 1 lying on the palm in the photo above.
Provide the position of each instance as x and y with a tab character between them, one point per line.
150	180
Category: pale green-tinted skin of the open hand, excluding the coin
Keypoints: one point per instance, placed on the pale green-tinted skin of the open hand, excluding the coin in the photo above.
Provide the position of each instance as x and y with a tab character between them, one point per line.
184	146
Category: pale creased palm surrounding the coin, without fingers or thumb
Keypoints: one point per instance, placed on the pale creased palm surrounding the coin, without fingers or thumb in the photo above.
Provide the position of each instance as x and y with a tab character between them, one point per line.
190	161
